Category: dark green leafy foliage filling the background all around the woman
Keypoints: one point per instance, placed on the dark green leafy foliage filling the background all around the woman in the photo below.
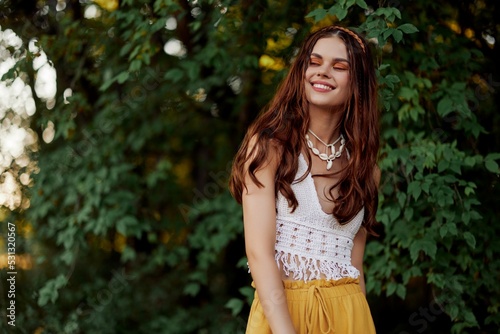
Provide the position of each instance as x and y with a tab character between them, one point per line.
133	228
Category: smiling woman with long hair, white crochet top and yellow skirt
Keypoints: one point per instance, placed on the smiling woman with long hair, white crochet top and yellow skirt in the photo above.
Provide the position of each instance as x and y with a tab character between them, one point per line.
307	178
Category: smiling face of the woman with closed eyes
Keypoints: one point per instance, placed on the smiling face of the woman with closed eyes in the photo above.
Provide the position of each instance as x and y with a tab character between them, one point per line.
327	76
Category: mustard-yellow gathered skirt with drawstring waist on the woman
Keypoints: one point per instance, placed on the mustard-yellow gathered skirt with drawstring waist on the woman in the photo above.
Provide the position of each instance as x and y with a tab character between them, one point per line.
320	307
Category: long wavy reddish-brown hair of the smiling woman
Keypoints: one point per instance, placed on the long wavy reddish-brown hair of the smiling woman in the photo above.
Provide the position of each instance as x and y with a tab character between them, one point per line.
284	122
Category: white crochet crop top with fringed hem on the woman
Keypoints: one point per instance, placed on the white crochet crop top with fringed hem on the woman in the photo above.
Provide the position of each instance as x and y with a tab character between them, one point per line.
311	244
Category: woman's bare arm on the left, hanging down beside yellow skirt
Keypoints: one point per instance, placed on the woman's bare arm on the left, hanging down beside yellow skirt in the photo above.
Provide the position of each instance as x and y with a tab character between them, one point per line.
259	218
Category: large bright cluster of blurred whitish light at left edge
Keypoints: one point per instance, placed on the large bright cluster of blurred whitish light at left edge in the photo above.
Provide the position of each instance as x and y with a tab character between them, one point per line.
17	106
